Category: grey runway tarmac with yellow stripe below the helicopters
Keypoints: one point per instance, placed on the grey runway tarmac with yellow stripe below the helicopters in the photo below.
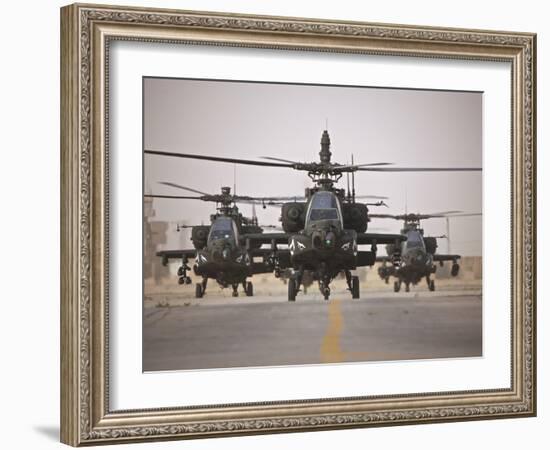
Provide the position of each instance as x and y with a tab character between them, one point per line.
221	332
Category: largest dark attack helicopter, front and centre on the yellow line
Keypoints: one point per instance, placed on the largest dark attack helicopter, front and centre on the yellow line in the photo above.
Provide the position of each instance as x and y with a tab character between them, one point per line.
322	233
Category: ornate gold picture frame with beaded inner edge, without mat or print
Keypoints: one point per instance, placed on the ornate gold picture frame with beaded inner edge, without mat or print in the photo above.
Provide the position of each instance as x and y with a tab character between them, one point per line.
87	31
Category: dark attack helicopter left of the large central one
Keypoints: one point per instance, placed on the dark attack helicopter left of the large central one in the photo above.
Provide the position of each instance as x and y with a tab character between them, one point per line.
218	251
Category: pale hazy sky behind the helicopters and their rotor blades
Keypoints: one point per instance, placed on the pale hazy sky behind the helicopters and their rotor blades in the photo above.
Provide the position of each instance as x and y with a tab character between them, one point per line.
250	120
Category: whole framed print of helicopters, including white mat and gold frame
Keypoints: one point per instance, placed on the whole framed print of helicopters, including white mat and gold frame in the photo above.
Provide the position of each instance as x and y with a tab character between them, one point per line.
275	224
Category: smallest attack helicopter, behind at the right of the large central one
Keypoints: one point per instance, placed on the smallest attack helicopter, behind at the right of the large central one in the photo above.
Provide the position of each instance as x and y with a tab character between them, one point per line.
418	252
